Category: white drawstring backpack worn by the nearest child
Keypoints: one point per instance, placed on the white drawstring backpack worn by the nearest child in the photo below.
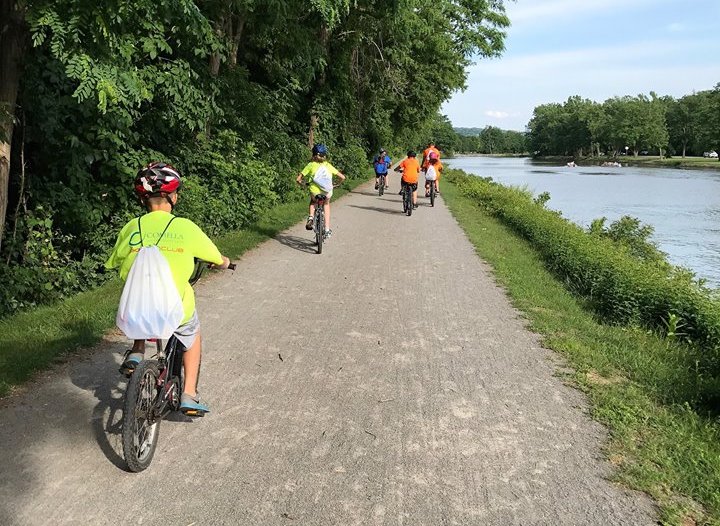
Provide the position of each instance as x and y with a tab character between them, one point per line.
150	305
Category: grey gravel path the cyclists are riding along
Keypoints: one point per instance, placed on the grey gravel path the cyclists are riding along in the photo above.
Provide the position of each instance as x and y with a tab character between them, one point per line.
386	381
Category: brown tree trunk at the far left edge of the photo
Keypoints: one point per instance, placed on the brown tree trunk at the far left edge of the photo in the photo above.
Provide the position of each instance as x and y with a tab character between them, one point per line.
13	39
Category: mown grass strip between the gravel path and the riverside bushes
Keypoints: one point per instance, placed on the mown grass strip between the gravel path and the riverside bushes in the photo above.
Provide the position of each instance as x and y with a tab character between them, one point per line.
660	447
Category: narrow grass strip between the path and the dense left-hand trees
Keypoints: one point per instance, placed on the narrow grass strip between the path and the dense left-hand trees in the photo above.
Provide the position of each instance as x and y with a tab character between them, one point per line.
33	340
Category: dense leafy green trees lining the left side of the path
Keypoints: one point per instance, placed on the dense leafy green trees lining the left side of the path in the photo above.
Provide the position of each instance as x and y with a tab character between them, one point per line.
231	93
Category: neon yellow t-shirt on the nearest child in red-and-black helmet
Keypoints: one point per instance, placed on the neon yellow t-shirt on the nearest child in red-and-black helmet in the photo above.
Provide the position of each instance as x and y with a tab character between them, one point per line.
183	241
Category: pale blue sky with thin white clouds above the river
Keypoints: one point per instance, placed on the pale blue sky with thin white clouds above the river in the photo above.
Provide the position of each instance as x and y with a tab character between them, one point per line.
597	49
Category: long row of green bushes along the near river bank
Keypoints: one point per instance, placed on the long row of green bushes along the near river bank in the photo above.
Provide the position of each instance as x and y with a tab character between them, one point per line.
625	279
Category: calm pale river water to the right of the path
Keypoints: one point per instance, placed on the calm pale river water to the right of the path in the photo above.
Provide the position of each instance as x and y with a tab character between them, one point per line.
683	206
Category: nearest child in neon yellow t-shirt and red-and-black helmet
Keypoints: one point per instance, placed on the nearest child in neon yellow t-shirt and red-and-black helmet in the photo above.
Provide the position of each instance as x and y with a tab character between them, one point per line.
180	241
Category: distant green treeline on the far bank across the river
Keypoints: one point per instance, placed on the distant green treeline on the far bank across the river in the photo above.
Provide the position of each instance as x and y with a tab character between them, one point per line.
642	124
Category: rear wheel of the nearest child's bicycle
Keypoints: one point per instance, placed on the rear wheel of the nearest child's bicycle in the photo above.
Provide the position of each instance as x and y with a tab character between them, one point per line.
139	439
